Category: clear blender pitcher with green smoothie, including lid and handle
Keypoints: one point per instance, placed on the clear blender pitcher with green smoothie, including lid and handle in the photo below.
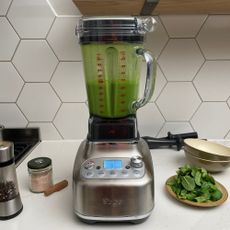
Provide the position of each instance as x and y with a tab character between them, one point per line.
112	50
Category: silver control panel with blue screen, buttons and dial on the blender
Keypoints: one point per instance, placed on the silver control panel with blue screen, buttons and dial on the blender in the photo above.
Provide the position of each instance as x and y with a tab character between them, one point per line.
113	168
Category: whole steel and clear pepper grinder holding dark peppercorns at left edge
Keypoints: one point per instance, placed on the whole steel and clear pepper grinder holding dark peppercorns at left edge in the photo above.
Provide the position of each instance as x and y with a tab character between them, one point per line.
10	201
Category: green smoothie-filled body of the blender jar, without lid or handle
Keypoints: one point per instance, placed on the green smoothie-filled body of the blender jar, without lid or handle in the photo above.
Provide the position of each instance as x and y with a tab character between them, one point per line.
112	78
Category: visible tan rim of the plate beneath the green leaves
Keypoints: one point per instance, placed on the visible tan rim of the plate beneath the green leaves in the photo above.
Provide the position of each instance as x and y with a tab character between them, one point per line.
200	204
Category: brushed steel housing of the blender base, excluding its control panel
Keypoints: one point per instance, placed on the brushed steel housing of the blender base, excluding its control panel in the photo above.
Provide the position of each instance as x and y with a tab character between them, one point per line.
113	198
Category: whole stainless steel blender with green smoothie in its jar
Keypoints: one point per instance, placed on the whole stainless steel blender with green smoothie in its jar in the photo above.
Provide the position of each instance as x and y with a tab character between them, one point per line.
113	178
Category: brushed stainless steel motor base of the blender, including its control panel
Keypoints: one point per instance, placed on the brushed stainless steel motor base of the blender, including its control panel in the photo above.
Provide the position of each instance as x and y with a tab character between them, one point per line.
102	194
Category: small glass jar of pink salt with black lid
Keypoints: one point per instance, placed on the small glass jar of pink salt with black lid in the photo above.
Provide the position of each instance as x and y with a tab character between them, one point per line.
40	174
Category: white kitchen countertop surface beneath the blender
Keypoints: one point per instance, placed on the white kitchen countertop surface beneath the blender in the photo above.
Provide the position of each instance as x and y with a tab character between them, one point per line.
55	211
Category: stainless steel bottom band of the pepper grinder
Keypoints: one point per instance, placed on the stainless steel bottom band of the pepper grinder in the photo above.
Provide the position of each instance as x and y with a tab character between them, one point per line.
11	207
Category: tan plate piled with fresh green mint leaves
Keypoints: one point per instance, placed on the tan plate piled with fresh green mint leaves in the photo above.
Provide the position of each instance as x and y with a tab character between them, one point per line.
195	186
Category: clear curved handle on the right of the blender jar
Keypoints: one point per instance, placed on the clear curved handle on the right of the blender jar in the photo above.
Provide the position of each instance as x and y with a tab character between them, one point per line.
150	79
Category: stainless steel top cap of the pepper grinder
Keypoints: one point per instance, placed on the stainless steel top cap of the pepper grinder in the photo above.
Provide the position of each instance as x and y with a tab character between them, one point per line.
6	151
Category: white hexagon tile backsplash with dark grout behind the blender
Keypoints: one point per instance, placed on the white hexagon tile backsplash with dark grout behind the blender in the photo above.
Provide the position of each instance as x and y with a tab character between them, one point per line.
42	80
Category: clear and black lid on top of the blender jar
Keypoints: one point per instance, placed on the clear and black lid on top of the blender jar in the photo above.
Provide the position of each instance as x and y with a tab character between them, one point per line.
115	28
